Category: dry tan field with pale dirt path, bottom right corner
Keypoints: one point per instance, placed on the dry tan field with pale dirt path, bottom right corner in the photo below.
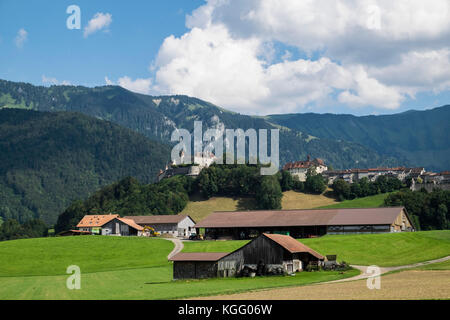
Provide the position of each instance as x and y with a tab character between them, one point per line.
403	285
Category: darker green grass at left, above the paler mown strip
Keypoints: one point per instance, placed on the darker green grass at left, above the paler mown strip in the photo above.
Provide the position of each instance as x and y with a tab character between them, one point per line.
52	256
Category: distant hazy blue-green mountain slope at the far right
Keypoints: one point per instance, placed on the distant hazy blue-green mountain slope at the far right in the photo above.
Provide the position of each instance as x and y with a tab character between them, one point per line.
419	137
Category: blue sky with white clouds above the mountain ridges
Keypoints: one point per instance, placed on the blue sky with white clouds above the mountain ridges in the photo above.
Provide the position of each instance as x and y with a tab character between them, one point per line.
251	56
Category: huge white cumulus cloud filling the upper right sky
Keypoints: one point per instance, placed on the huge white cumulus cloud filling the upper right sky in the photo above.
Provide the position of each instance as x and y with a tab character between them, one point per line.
367	53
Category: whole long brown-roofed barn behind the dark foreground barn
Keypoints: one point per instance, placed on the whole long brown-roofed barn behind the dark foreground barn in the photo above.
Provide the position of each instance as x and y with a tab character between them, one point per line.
305	223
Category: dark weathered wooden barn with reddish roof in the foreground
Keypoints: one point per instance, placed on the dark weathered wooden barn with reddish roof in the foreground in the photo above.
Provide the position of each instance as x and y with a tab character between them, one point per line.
266	254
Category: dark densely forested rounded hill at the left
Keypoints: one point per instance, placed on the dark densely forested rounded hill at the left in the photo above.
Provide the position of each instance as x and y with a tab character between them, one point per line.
49	159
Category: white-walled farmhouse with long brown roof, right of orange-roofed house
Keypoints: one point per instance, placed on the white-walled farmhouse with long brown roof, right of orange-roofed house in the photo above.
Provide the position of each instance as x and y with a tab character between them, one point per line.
176	225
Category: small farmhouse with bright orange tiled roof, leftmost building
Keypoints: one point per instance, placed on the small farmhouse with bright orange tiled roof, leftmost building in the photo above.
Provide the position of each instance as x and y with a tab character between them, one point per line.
110	224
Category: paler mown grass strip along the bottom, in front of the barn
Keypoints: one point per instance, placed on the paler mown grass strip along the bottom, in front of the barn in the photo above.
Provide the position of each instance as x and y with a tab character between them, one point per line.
148	283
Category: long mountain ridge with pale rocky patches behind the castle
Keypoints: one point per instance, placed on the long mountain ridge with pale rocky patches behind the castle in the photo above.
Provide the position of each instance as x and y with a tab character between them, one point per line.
157	117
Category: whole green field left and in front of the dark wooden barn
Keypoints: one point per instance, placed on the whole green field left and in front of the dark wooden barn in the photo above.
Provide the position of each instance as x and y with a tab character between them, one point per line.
116	268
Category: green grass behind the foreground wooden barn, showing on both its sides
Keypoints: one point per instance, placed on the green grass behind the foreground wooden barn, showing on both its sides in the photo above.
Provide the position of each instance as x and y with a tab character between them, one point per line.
384	250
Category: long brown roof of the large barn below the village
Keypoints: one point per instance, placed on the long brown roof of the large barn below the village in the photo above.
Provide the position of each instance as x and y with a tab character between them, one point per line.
311	217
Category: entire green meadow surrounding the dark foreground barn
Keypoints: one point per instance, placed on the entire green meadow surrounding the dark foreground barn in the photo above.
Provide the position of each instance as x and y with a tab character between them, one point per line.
137	268
